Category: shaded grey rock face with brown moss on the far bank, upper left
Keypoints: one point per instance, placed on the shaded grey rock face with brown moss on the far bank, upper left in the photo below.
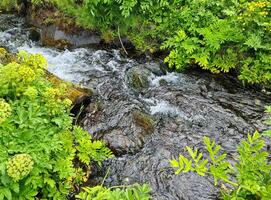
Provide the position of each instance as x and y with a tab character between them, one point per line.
56	31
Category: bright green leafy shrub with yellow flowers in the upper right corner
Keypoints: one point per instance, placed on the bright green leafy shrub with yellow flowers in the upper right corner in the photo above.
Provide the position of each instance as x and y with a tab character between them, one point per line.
223	35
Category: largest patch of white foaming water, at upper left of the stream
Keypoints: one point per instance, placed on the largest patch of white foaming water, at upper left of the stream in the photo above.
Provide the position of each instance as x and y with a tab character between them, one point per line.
69	65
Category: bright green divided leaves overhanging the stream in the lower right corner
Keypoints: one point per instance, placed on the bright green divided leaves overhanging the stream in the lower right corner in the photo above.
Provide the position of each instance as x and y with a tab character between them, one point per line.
250	176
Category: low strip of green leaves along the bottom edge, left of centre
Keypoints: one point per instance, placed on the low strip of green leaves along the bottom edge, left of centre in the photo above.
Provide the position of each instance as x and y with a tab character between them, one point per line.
133	192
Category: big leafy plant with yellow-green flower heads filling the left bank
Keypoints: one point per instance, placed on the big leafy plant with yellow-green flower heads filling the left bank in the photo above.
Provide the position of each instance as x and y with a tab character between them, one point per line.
41	153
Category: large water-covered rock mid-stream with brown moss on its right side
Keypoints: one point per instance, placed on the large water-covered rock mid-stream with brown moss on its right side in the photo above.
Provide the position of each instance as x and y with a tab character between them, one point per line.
121	133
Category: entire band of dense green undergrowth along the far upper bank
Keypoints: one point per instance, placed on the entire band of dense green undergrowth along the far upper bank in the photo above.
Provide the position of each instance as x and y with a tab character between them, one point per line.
219	36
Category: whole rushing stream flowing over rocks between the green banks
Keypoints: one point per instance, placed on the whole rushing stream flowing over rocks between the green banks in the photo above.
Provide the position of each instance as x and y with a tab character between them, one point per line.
147	115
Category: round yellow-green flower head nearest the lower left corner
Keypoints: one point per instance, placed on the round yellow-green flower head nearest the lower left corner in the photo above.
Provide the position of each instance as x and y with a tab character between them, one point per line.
19	166
